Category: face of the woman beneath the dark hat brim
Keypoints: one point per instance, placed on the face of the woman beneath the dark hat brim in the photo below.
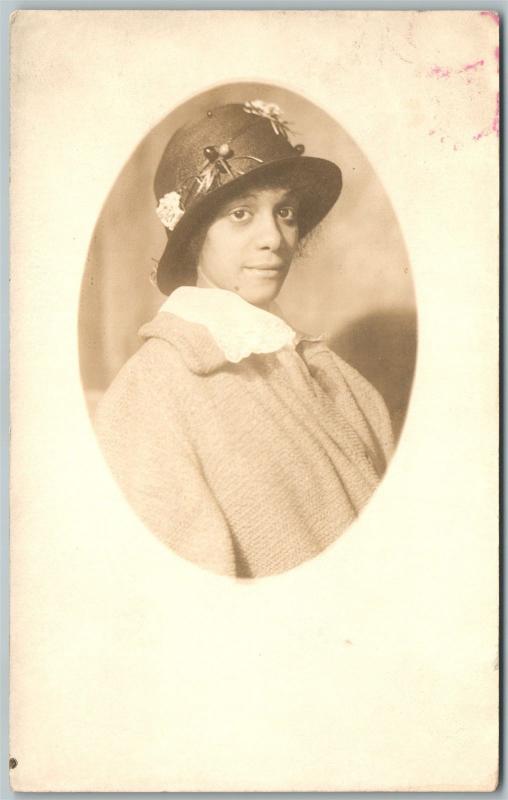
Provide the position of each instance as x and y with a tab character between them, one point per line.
249	246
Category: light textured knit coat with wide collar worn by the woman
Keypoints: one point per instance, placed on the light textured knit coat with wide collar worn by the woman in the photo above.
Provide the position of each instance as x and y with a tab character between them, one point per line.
250	468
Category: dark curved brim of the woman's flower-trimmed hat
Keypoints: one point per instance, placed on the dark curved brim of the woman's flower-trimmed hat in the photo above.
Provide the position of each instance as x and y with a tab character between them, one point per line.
320	183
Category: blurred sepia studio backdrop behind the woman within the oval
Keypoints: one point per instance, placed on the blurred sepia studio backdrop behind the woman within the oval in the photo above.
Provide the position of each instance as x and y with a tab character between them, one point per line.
351	283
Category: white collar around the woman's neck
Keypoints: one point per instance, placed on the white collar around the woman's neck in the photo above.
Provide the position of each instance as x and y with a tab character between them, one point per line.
238	327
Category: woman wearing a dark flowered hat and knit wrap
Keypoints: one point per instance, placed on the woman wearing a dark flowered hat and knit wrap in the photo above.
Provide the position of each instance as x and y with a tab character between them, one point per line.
245	446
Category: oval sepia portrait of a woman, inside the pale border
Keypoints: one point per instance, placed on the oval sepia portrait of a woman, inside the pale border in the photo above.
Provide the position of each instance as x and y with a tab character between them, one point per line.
239	431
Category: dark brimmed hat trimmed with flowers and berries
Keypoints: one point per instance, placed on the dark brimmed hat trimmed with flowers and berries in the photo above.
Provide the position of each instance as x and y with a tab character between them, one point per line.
226	151
